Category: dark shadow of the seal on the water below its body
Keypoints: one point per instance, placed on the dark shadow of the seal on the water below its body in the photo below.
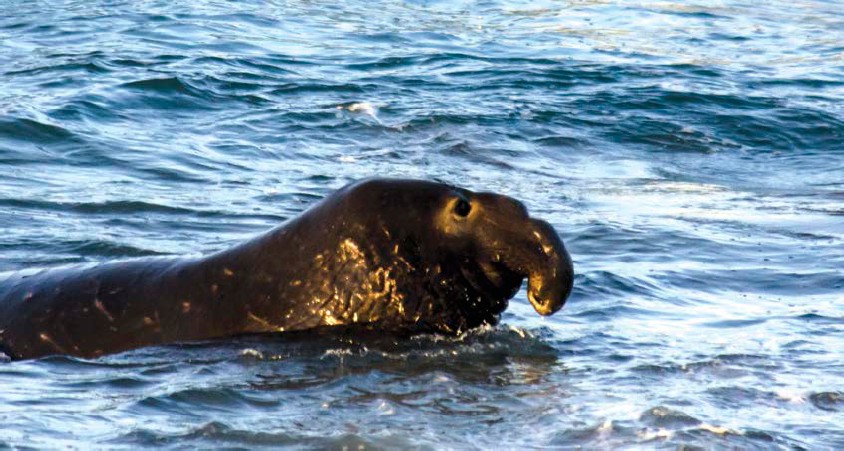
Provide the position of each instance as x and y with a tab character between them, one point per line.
299	360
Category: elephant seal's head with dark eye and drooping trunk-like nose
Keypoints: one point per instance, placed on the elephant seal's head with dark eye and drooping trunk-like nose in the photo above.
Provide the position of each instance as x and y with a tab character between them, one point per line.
461	255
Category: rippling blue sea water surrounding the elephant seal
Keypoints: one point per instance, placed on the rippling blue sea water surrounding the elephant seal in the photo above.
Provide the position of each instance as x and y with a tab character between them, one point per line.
692	157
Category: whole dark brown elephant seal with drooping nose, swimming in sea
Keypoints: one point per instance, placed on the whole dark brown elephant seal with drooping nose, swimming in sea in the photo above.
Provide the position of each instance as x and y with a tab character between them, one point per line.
392	254
